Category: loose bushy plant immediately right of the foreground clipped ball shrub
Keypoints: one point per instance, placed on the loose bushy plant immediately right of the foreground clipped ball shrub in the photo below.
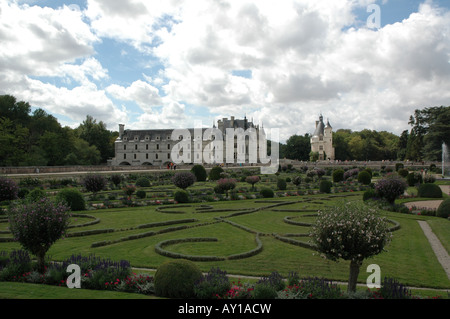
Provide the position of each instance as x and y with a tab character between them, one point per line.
212	285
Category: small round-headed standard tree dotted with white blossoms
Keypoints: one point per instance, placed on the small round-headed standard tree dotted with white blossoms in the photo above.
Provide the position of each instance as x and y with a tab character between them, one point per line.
351	231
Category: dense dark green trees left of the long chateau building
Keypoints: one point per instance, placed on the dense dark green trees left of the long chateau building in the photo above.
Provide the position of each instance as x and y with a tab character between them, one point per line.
37	138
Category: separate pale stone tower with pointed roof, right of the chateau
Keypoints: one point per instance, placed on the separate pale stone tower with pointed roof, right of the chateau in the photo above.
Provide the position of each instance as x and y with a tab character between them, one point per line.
322	140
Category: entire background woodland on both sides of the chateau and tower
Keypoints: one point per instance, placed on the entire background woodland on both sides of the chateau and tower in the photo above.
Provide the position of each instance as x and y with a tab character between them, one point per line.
37	139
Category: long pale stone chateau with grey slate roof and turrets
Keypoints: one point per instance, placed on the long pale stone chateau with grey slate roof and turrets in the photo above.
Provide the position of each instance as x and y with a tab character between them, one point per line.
155	147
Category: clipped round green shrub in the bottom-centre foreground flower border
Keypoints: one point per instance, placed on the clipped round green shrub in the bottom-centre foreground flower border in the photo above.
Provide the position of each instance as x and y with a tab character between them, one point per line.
176	279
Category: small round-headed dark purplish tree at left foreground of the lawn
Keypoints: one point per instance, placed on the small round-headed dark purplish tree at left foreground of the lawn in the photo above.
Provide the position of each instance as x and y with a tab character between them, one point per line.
38	225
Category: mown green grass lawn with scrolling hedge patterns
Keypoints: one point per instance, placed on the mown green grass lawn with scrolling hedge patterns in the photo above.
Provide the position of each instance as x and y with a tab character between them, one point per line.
235	224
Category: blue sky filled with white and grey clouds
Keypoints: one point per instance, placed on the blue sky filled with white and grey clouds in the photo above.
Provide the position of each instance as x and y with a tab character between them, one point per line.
362	64
